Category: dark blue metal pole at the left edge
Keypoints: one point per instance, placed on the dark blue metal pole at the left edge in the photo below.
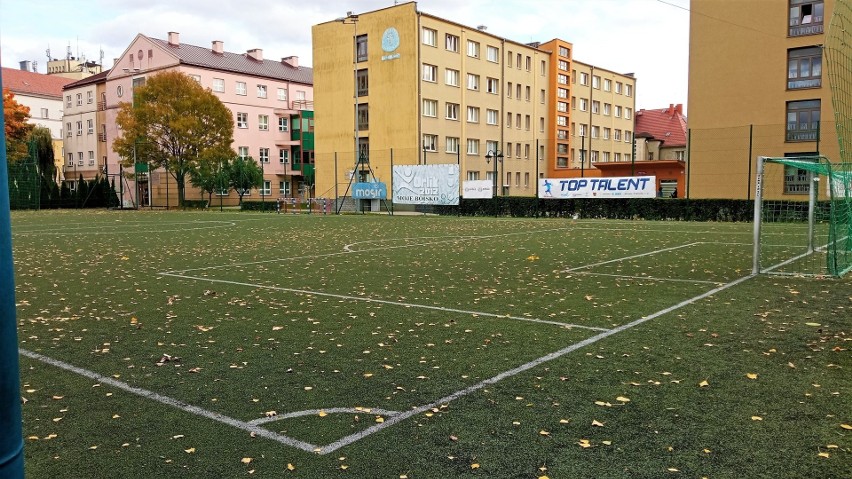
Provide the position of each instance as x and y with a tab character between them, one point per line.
12	435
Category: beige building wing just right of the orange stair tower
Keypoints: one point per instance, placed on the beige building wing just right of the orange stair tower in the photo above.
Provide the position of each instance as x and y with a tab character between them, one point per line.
603	105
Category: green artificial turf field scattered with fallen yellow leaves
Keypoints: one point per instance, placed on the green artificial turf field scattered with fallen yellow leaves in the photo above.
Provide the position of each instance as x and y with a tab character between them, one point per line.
208	344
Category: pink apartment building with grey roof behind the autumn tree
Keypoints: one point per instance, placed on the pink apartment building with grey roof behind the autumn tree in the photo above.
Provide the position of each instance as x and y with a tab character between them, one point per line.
271	100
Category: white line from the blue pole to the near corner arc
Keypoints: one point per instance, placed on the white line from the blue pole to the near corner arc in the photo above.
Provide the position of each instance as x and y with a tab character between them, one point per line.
257	430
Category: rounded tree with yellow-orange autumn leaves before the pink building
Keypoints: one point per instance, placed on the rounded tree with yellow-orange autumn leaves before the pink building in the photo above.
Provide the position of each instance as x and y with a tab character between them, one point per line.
174	123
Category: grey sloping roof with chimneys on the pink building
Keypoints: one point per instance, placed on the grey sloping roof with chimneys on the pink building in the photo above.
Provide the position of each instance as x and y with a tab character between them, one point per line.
238	63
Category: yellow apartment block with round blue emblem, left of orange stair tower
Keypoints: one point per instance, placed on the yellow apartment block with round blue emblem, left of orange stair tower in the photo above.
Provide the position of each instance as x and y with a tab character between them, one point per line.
410	88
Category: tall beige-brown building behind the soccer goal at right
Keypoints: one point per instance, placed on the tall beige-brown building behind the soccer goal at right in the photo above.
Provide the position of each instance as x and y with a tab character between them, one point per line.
766	95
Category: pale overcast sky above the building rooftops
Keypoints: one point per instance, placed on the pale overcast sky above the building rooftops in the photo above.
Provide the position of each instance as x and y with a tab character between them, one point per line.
649	38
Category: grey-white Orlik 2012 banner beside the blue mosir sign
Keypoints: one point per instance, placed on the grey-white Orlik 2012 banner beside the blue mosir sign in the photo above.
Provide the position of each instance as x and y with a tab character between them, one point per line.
426	184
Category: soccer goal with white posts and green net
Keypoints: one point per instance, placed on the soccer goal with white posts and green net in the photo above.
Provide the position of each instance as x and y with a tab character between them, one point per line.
794	236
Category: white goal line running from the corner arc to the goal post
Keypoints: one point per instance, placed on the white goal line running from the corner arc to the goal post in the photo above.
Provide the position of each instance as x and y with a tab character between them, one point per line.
524	367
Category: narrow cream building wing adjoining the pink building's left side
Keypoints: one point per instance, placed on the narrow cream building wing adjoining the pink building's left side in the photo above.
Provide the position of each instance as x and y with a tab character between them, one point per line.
84	118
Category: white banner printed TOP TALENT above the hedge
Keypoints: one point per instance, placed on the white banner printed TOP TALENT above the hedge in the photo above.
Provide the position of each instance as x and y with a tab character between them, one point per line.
614	187
